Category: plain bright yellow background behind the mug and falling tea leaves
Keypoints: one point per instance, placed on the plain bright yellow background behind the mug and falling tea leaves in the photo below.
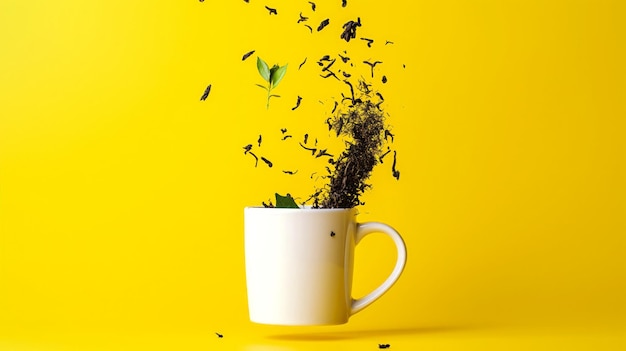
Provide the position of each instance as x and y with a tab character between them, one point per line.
122	195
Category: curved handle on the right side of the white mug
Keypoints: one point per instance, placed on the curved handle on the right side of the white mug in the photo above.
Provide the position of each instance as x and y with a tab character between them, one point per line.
364	229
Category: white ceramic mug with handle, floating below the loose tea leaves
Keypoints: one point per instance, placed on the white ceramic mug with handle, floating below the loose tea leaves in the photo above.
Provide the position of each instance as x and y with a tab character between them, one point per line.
299	264
